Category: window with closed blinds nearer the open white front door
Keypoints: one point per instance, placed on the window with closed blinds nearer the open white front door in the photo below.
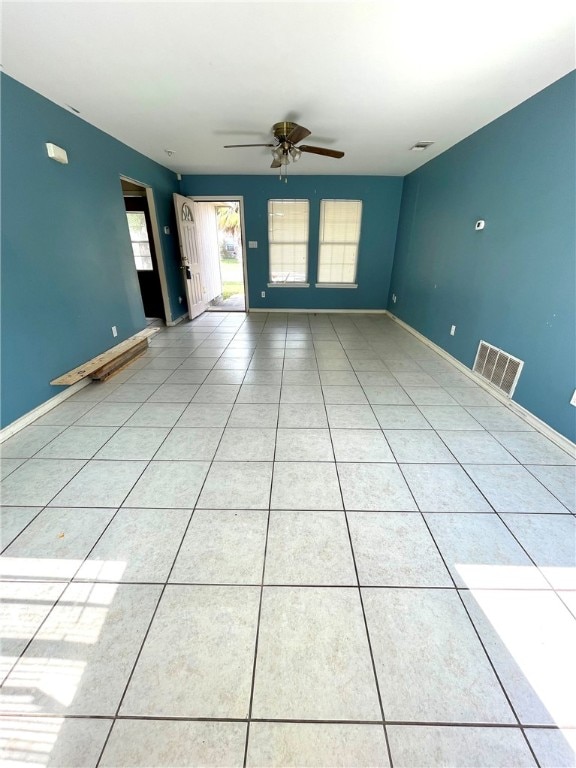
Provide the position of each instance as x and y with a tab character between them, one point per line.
288	241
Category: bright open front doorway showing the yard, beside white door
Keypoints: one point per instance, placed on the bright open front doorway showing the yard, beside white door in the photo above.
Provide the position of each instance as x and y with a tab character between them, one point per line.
220	239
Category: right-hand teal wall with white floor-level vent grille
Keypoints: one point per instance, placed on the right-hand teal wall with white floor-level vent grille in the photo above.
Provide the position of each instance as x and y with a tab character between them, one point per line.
514	283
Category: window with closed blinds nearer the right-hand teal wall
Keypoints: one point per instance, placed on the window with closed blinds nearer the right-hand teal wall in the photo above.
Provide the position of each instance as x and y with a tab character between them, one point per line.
339	237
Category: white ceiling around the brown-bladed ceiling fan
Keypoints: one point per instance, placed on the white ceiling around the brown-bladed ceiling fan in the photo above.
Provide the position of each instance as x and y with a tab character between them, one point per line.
369	78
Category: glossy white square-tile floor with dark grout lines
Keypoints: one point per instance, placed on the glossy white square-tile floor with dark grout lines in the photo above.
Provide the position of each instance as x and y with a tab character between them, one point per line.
287	540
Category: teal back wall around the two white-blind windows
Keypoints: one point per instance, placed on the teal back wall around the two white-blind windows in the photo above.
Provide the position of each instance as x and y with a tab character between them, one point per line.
381	204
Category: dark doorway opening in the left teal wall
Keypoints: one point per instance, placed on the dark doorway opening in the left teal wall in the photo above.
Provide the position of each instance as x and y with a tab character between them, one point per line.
142	237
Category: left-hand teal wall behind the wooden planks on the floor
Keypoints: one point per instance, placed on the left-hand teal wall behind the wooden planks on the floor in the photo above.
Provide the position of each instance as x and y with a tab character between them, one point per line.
68	273
